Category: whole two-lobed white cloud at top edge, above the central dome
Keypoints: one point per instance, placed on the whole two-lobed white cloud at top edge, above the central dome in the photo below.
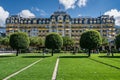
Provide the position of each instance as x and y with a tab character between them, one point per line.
71	4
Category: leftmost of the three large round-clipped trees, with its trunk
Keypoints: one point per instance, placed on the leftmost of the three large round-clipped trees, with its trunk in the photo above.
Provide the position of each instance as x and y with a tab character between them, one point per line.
19	40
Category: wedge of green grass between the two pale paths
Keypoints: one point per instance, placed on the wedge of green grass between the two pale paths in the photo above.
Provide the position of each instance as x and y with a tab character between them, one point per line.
41	71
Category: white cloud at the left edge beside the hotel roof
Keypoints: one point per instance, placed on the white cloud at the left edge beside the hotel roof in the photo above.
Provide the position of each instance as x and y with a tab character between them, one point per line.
3	15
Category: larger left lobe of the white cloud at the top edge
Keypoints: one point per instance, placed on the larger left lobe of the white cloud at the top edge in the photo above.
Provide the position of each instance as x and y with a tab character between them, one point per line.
68	3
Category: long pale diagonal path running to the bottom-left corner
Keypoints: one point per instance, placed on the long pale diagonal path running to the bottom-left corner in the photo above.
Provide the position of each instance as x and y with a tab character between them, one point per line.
22	70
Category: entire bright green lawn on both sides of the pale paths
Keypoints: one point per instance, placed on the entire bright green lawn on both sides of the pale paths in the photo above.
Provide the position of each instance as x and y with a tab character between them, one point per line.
71	67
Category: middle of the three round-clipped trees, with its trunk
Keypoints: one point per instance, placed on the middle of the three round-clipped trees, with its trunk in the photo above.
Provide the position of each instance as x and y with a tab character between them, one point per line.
53	41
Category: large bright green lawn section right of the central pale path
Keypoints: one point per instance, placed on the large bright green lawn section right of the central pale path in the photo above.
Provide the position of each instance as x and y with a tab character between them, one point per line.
94	68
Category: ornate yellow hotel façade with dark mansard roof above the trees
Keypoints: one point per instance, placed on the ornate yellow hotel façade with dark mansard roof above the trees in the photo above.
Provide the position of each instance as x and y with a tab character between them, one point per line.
62	23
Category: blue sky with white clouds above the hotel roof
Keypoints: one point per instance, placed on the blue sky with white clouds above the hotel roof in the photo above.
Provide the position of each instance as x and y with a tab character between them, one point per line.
44	8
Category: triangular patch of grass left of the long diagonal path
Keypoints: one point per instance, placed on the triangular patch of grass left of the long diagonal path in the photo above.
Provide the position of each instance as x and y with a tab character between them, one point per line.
10	63
